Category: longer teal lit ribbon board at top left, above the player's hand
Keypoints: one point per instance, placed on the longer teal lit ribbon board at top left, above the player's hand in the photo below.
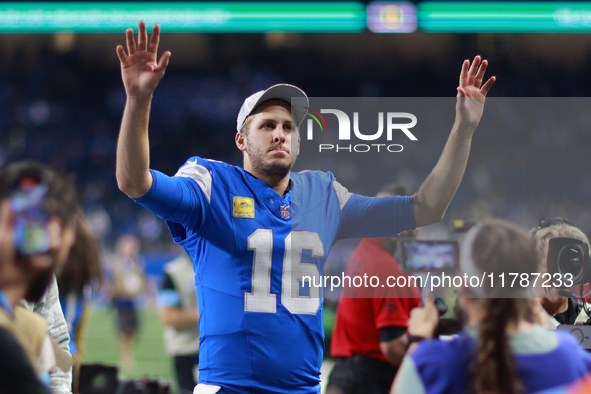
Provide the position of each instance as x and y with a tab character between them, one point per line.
177	17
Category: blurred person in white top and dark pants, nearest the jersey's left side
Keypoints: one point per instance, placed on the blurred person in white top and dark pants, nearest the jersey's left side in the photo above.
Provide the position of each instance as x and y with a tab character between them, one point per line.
179	314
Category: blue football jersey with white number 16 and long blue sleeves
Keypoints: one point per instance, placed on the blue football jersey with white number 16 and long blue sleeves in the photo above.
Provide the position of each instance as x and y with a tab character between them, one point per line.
260	329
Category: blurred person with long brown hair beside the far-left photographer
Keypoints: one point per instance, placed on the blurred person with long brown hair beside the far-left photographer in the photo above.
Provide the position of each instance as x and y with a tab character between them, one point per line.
83	269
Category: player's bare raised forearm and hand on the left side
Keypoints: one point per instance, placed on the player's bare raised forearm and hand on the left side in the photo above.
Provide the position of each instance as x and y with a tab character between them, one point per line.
141	72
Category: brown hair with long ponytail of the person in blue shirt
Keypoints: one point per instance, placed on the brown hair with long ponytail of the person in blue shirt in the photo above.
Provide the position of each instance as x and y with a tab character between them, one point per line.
500	247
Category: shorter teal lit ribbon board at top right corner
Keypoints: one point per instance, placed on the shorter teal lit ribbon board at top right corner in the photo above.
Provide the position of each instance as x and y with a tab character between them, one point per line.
504	17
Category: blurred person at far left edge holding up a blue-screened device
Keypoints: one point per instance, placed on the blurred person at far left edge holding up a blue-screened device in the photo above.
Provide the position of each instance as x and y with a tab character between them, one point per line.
36	232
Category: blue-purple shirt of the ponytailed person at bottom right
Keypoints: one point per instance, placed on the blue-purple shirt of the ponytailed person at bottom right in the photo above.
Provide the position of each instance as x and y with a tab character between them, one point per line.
543	359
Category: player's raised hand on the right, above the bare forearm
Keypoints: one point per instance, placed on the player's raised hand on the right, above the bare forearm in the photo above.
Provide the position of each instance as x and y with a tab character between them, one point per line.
472	93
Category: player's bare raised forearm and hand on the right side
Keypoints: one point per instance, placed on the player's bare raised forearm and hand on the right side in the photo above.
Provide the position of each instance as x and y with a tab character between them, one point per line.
434	196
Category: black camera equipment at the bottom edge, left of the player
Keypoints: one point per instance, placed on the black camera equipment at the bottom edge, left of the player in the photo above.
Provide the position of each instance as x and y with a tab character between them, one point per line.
102	379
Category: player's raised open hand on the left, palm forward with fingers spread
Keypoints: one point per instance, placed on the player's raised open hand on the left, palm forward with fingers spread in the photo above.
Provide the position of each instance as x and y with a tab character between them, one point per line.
141	70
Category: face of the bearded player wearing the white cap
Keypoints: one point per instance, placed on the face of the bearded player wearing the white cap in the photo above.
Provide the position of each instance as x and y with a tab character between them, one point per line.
272	142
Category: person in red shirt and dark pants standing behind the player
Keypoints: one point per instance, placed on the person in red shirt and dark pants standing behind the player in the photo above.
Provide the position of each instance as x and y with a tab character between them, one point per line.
369	337
